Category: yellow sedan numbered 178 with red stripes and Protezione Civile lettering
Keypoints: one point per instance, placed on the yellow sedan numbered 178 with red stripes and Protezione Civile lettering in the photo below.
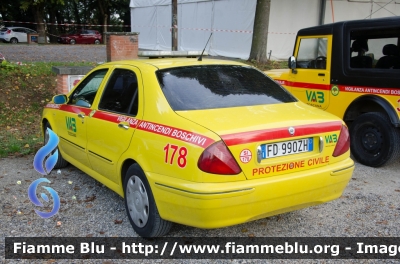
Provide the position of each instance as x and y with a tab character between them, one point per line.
208	143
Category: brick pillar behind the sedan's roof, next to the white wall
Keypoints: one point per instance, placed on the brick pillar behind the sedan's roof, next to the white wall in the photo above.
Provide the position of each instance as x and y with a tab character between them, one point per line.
122	45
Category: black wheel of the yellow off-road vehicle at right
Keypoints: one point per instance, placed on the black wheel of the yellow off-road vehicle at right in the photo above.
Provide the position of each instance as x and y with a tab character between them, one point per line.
373	140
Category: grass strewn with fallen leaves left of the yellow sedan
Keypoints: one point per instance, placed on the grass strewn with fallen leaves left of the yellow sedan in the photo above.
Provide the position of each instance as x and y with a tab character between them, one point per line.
25	89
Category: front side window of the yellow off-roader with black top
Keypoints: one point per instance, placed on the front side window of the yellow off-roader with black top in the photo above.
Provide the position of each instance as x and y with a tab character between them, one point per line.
312	53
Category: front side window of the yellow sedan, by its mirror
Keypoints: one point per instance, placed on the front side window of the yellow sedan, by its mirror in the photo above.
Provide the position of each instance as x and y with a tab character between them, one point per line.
85	93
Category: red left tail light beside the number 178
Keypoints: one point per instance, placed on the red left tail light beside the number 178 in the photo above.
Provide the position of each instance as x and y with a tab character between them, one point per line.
217	159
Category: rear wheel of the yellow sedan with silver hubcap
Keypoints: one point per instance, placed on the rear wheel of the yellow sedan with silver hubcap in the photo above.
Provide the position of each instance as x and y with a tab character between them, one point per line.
140	205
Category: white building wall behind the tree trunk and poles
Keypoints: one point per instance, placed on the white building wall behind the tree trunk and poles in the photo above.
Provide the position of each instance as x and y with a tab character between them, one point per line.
231	22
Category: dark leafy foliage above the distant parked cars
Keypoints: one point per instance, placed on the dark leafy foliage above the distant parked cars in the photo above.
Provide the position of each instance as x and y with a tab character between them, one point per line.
87	12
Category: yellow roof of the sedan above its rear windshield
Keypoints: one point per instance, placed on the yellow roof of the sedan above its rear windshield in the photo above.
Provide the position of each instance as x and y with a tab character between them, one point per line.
176	62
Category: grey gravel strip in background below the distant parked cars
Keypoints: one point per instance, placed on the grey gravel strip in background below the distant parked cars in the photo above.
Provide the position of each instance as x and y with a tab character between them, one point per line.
53	53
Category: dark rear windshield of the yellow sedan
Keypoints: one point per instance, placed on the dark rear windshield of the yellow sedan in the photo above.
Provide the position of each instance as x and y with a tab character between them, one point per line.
210	87
